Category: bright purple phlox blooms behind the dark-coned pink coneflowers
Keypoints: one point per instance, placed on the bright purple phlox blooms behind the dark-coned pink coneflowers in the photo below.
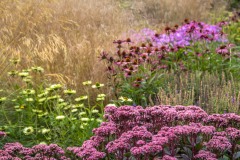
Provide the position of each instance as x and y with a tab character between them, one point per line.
180	35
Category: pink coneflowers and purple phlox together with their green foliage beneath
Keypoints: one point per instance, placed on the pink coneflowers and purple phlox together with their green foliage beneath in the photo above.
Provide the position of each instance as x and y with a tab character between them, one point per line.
136	65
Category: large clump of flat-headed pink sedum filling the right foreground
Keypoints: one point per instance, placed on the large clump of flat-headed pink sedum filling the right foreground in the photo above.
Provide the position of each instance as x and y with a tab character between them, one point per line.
162	132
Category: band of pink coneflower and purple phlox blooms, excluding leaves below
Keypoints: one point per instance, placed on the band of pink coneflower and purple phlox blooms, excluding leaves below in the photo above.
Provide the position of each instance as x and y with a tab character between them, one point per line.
155	50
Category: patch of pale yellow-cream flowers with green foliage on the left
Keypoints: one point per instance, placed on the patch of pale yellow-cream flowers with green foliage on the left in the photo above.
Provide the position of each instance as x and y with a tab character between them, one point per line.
35	114
